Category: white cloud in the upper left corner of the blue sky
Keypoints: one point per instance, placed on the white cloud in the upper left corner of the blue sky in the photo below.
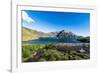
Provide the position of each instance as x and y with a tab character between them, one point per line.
27	19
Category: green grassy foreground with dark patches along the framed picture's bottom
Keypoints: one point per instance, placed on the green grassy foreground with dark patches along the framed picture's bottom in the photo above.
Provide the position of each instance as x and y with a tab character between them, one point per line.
48	52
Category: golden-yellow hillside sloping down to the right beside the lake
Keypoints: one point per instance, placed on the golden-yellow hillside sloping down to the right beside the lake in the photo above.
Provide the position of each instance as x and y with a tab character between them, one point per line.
29	34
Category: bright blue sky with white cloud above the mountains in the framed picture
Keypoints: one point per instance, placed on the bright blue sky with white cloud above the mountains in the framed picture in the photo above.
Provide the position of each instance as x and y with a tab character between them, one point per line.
46	21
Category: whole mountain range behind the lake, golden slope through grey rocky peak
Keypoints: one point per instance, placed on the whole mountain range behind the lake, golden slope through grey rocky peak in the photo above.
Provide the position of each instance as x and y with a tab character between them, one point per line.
29	34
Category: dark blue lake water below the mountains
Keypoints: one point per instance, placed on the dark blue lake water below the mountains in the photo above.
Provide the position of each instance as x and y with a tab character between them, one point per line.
52	40
